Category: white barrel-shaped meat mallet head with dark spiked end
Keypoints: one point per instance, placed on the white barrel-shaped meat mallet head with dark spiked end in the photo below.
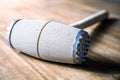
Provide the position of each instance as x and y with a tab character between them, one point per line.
49	40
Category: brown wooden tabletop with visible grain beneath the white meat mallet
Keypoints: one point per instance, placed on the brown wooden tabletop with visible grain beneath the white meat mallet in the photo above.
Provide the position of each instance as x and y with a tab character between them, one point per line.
103	60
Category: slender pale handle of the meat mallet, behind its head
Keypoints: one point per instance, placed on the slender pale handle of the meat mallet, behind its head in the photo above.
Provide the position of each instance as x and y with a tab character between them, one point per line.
99	16
